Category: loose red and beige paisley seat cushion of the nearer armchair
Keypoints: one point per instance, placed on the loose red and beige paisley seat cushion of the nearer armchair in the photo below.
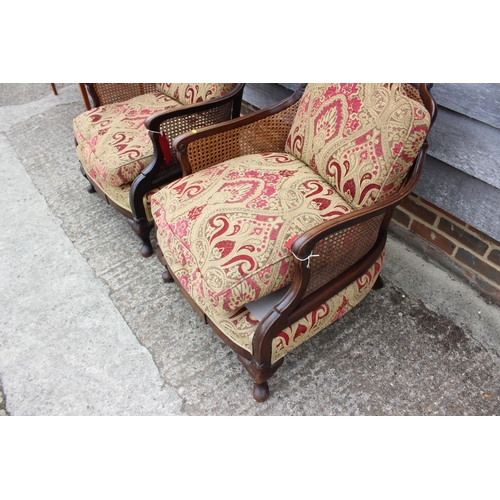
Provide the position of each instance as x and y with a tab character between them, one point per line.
227	226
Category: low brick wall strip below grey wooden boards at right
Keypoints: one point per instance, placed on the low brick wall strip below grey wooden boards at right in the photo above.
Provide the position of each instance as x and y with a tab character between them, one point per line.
454	244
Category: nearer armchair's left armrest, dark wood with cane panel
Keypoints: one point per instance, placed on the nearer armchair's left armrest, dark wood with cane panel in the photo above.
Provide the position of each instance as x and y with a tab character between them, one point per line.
262	131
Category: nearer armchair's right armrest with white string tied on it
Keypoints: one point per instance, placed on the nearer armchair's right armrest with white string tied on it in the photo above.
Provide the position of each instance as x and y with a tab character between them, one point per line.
332	255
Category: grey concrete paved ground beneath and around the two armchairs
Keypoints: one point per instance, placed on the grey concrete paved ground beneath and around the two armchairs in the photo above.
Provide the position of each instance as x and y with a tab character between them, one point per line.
87	326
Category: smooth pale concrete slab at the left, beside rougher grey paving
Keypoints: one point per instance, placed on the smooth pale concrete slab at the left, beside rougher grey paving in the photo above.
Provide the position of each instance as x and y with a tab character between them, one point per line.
64	347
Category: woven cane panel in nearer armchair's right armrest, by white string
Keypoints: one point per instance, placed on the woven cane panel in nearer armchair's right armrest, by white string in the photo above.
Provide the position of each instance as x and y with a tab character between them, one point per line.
341	250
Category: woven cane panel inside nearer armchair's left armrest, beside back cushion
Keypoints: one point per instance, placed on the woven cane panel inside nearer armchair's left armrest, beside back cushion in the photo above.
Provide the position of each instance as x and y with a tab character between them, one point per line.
266	135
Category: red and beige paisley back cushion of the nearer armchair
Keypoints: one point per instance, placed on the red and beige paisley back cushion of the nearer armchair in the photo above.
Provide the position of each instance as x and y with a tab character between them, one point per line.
362	138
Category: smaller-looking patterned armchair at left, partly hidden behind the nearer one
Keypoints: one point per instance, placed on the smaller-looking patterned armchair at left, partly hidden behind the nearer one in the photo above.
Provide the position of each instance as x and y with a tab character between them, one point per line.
124	143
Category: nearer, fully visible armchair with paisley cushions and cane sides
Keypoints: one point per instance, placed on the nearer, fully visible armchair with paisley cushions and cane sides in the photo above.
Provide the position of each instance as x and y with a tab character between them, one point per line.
278	226
